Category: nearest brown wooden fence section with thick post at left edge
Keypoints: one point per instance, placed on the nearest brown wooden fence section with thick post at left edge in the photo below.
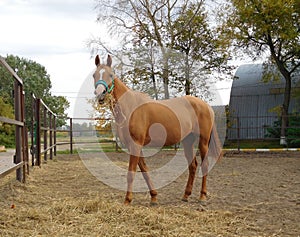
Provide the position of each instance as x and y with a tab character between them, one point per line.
20	159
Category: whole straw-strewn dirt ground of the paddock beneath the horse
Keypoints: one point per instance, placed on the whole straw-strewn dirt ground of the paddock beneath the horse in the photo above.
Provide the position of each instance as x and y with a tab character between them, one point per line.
250	194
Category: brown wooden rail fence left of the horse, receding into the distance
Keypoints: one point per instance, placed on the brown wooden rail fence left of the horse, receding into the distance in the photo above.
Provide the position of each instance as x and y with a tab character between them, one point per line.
43	132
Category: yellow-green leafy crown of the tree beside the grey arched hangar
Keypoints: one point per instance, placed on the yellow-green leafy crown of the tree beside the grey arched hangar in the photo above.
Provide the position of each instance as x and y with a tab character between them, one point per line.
260	23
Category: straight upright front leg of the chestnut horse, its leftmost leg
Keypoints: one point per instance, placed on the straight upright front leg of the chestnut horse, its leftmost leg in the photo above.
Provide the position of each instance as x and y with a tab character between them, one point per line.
133	161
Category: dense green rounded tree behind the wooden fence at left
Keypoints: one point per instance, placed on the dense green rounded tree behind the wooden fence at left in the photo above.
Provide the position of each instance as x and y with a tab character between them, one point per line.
36	80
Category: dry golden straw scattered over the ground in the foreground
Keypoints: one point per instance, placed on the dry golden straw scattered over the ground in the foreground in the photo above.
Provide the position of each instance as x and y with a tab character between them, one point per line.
63	199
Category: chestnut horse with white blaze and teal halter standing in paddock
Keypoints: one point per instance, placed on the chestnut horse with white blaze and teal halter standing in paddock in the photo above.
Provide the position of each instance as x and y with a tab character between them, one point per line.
142	121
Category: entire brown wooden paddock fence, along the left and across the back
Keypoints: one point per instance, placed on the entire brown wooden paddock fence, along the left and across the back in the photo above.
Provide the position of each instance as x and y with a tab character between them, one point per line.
43	131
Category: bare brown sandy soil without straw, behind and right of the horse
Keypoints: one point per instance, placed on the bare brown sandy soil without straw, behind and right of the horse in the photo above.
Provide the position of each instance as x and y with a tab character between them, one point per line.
263	188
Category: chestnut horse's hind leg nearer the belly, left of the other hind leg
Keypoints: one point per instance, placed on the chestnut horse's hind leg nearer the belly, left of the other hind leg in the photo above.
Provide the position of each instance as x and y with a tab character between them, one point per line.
192	162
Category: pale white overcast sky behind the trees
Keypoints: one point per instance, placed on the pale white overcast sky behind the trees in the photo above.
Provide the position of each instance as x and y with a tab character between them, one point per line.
54	33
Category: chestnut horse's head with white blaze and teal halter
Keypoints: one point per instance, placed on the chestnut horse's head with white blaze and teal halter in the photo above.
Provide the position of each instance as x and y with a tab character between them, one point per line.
103	78
